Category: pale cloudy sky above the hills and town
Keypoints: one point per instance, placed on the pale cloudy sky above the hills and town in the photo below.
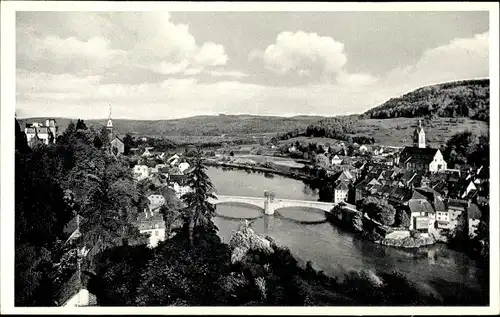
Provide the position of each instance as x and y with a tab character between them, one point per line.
166	65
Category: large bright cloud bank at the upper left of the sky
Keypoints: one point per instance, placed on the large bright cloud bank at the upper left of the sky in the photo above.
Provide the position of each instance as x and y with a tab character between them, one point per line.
143	40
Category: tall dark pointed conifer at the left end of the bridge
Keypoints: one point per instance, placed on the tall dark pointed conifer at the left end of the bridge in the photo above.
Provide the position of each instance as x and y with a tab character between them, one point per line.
198	210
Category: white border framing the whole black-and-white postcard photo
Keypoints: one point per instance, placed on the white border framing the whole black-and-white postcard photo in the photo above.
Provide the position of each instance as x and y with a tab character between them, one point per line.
8	56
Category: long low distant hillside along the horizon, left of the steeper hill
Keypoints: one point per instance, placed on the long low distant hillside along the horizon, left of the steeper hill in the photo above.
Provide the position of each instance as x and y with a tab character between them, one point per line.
199	125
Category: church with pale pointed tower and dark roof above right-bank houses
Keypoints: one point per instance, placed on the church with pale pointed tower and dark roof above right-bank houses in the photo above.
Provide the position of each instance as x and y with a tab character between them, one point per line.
420	157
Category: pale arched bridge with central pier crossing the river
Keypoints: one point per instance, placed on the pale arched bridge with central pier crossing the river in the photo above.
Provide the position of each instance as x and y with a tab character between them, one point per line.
269	204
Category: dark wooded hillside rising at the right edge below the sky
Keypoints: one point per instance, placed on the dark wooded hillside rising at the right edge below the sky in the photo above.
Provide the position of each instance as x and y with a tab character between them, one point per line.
468	98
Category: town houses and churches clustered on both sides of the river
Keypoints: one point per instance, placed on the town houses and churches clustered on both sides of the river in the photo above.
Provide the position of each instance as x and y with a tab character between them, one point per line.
427	199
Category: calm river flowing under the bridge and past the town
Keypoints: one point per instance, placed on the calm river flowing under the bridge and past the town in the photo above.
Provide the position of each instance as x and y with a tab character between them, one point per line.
329	248
